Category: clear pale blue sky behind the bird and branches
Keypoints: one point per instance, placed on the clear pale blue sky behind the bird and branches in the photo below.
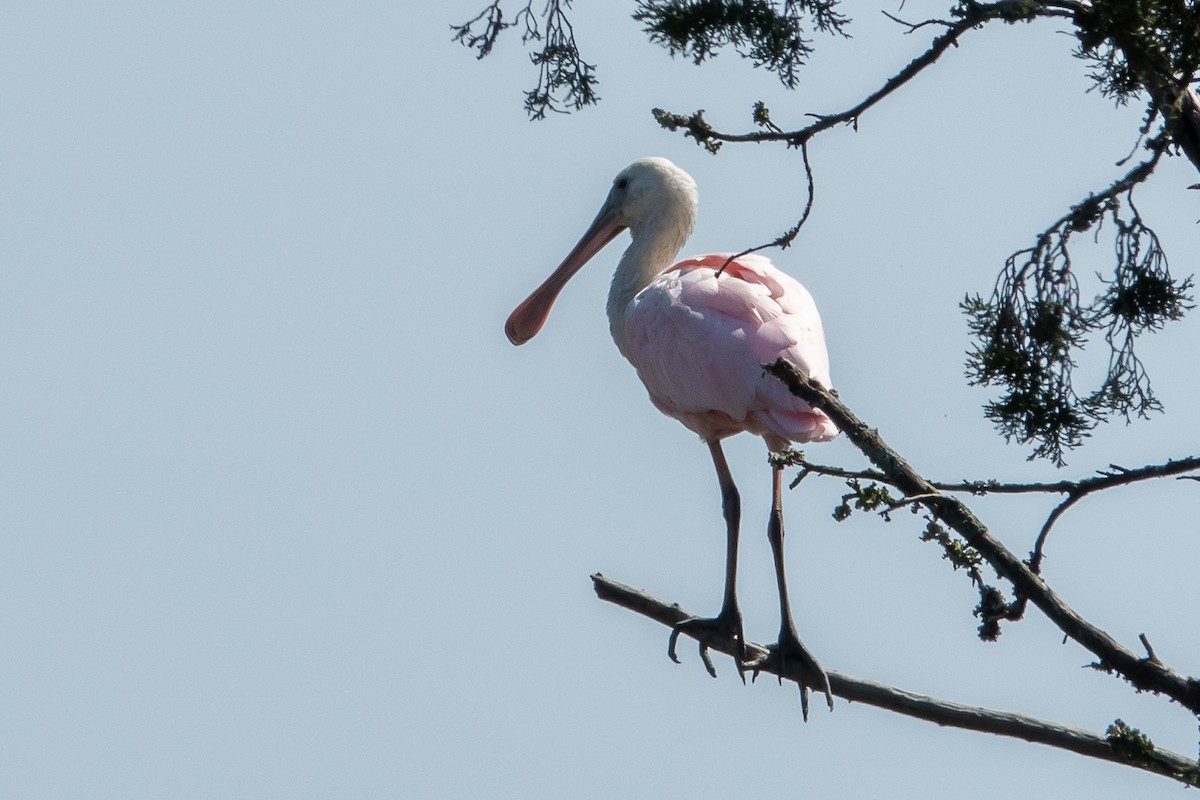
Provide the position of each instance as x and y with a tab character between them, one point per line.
285	516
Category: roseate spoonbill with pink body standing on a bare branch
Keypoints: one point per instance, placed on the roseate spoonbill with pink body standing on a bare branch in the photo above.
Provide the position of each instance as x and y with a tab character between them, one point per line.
699	333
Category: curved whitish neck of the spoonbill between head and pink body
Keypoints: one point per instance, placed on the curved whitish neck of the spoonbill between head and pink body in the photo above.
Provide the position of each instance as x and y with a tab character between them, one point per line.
657	243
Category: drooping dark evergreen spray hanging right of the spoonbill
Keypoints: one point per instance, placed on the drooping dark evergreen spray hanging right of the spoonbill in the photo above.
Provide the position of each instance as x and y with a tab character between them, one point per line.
1035	322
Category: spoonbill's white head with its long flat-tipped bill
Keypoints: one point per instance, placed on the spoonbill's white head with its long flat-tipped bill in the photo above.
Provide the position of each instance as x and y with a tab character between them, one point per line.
655	200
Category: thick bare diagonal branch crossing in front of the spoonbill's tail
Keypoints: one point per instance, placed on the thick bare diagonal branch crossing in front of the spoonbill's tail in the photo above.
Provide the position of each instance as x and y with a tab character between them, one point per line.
1144	675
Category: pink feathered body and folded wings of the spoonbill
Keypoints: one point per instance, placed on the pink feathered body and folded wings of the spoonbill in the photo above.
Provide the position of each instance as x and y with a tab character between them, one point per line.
699	344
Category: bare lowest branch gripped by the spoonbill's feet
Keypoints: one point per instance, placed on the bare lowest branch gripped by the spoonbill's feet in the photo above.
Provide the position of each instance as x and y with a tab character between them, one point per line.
1123	745
